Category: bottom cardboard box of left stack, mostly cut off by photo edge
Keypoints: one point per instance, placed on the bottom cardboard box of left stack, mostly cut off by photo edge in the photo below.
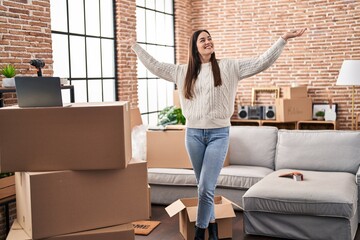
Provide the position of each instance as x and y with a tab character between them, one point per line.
123	232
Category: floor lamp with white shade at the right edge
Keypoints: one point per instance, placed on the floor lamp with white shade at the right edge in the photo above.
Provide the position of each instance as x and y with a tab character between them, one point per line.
350	76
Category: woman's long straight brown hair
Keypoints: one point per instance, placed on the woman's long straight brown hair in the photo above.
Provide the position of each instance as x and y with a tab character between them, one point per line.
194	66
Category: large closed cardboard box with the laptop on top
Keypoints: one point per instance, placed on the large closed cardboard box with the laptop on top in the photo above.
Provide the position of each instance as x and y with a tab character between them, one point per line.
79	137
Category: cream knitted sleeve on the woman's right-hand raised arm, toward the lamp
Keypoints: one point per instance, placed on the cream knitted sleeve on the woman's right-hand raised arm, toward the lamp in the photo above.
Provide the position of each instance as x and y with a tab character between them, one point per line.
248	67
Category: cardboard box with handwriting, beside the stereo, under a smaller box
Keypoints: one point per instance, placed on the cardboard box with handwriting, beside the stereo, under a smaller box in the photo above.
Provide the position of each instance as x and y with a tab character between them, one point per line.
297	109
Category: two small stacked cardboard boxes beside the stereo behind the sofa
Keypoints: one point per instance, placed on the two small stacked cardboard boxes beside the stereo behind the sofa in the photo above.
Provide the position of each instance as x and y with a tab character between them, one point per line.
294	106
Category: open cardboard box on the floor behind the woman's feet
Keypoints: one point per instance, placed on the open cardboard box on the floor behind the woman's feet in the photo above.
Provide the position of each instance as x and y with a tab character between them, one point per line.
187	209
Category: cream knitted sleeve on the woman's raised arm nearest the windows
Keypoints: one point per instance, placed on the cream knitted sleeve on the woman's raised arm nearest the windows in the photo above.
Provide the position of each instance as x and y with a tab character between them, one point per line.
165	71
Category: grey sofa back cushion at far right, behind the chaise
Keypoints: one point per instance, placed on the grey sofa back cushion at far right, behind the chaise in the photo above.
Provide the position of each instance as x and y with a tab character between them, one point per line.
318	150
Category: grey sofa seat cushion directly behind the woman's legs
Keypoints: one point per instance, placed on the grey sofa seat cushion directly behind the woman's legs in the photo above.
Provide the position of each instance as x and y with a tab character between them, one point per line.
238	177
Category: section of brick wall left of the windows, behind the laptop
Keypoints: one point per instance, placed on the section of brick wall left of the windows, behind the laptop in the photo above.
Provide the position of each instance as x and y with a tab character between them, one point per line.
25	34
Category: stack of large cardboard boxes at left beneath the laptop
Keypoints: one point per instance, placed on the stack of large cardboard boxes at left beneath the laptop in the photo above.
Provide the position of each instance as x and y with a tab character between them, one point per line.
75	176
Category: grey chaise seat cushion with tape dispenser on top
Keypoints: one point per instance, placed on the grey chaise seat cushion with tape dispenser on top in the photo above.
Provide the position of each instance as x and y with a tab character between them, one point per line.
332	194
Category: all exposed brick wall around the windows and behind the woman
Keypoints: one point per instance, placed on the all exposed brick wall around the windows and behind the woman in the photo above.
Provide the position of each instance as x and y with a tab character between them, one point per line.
239	28
